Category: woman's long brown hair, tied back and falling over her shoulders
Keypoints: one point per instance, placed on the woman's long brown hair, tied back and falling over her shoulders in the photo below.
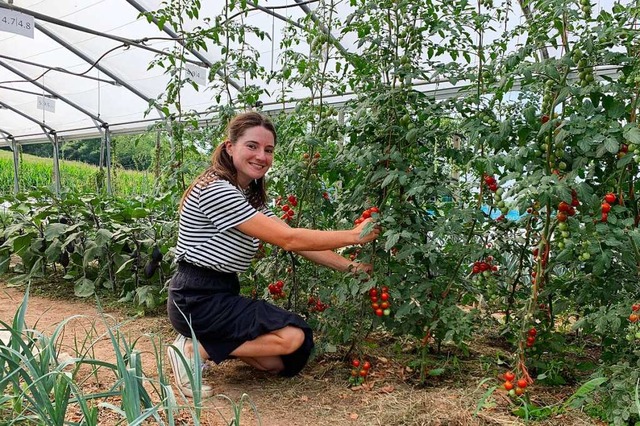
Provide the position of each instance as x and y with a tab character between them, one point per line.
222	164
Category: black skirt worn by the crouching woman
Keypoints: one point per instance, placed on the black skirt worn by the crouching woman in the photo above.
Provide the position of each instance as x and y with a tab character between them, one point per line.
222	319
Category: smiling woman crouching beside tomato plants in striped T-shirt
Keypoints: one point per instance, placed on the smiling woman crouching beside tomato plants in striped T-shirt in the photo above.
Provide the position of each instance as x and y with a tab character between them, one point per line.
223	216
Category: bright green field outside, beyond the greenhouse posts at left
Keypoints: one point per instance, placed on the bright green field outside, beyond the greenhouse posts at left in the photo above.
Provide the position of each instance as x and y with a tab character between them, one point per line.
37	172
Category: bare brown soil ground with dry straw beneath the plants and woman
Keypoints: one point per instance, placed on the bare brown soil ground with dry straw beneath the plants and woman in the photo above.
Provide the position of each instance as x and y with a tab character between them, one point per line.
320	396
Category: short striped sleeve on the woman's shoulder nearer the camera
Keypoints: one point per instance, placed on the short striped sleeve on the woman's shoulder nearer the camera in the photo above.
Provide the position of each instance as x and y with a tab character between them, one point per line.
225	205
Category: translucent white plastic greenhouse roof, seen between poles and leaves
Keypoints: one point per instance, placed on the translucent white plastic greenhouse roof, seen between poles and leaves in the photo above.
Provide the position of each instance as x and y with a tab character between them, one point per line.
115	92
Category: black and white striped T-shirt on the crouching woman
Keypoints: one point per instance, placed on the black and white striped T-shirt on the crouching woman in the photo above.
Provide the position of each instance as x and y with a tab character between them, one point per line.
207	236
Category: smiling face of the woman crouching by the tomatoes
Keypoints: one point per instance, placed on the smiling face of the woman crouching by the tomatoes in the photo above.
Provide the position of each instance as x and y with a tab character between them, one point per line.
252	154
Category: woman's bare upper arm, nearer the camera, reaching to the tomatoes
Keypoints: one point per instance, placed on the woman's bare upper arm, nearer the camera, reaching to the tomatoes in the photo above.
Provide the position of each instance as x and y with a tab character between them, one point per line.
301	239
